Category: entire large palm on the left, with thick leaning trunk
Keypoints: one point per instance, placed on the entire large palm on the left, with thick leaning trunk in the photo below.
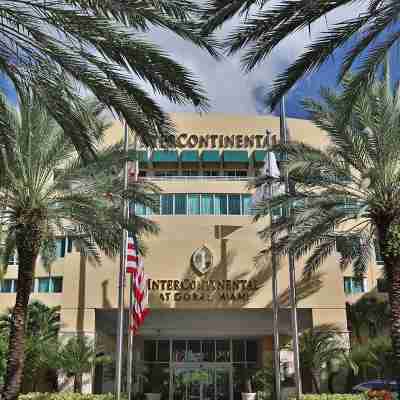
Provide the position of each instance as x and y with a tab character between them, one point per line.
47	191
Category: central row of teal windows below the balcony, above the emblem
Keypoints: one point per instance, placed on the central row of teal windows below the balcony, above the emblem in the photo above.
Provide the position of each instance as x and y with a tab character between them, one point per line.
199	204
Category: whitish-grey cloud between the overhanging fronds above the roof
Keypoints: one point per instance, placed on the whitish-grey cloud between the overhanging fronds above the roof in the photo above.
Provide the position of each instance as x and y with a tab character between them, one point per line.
228	88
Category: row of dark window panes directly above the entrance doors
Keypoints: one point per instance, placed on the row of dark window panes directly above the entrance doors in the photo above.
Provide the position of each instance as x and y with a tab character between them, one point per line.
209	350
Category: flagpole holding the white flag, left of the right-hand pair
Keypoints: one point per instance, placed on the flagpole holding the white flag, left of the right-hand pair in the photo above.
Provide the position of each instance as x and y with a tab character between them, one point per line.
275	302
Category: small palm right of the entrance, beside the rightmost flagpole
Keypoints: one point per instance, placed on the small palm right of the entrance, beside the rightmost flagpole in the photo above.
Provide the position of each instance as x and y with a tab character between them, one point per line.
320	347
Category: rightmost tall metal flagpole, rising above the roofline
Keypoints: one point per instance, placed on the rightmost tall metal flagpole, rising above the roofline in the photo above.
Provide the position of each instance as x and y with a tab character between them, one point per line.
292	272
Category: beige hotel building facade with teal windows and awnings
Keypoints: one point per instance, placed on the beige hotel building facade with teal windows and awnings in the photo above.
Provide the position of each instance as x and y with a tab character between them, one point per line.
210	300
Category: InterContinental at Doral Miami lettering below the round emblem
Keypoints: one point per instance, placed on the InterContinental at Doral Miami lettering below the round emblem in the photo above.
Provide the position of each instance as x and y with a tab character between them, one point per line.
202	291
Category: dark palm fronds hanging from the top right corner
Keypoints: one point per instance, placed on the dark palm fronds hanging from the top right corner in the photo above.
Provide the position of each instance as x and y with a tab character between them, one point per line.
372	32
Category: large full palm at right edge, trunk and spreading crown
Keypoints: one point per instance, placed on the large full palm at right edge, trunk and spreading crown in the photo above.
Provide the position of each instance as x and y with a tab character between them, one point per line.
348	193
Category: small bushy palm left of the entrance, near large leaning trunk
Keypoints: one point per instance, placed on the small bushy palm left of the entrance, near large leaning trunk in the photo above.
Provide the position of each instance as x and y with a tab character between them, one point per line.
77	357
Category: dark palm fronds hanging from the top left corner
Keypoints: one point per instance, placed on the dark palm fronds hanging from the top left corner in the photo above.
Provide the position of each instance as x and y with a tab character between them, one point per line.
102	45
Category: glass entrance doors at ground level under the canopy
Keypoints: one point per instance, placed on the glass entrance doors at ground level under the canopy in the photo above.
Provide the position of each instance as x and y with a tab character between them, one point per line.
200	382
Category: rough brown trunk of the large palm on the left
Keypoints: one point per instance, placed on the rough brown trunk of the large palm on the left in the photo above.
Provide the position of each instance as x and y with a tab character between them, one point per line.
28	243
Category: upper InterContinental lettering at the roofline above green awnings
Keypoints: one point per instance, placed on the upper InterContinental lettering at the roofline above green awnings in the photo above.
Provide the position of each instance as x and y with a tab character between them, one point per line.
215	141
